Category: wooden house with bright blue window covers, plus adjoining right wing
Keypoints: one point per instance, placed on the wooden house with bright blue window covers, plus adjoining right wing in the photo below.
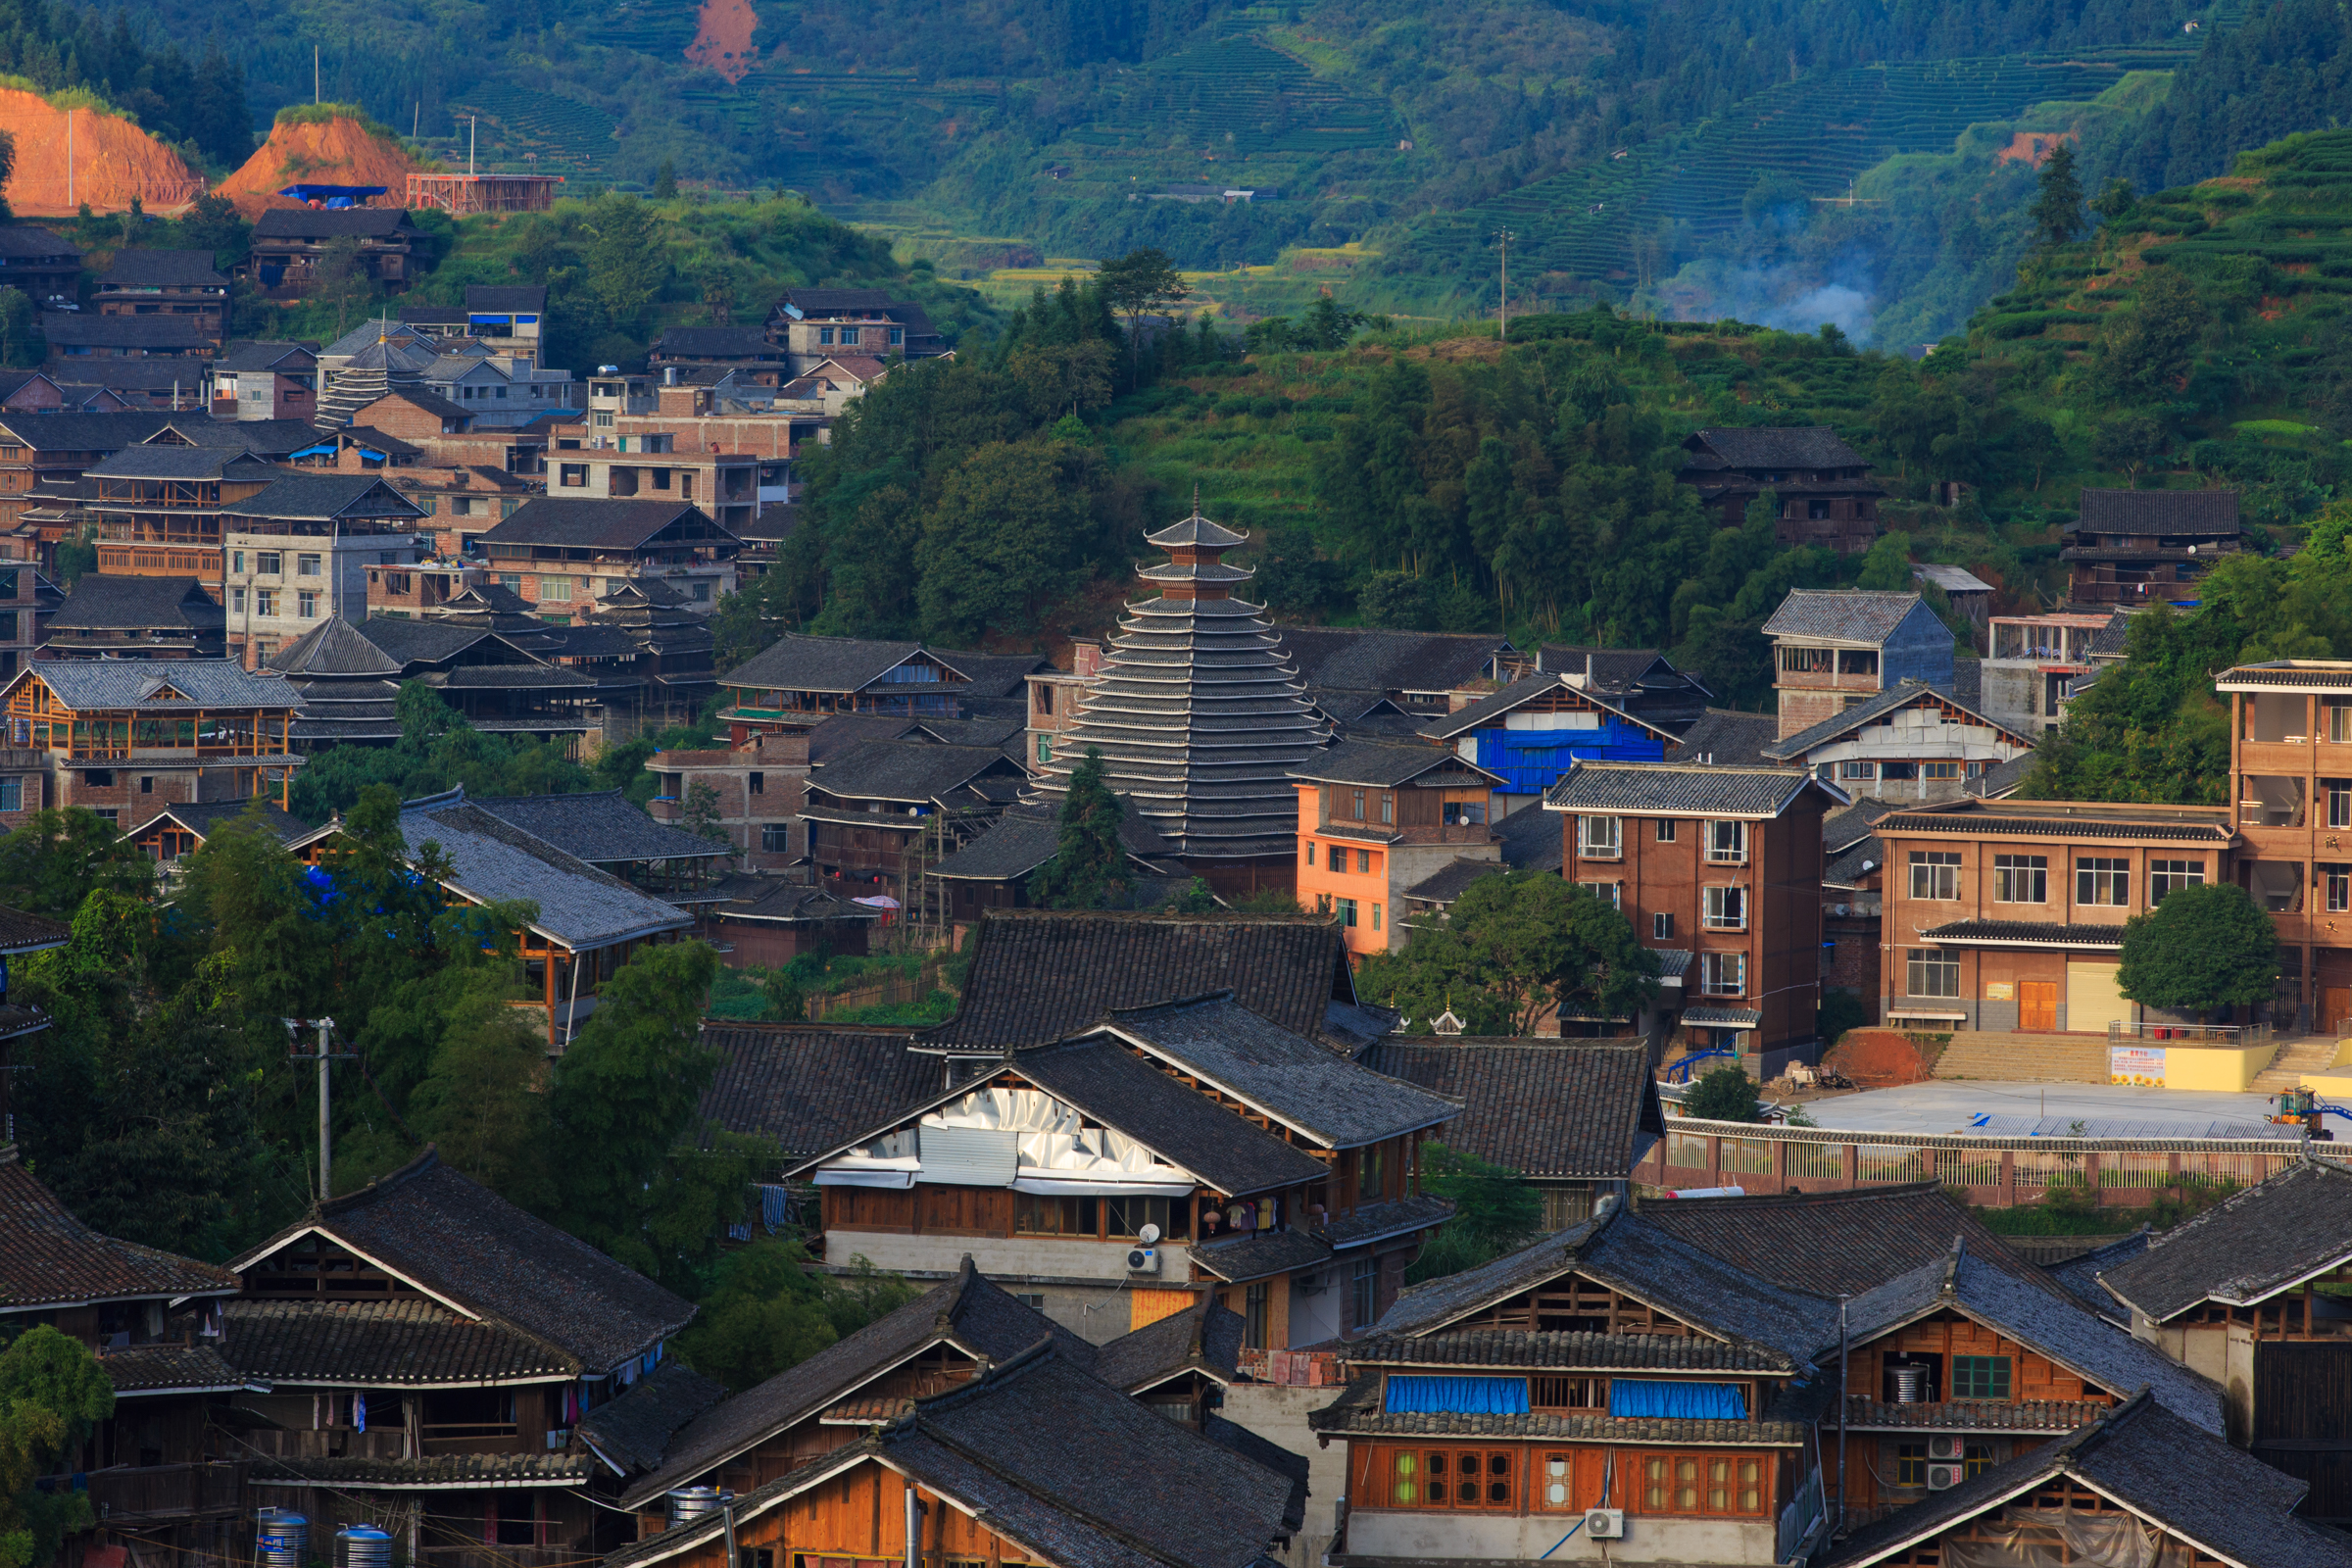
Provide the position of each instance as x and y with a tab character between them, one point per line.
1678	1362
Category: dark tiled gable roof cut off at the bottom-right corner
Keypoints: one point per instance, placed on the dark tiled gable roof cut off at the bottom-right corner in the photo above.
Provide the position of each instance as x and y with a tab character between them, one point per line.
2153	1463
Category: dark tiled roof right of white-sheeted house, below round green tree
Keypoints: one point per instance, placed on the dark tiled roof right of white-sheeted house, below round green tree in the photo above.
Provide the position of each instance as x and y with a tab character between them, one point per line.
1537	1106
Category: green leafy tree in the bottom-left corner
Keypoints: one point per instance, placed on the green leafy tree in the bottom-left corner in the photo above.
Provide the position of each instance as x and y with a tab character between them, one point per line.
53	1395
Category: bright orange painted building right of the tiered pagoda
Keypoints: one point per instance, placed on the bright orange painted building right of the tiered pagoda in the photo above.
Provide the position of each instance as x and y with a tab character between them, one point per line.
1379	819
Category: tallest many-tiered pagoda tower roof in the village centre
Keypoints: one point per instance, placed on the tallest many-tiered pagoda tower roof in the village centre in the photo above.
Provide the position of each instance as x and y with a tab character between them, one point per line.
1198	711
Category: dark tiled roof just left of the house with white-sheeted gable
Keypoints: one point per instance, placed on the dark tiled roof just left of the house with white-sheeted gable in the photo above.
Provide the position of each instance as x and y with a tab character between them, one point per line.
808	1087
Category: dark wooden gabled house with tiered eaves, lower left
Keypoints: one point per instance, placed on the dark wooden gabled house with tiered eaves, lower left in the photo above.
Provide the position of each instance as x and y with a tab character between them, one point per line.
427	1348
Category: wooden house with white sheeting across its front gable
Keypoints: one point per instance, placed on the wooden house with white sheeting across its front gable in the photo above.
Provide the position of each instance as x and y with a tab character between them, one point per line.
1302	1226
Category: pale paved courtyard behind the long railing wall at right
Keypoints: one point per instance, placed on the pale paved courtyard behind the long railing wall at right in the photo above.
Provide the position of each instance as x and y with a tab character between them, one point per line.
2106	1111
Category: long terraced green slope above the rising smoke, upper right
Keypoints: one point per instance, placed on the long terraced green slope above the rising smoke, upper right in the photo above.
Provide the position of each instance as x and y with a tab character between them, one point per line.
1817	133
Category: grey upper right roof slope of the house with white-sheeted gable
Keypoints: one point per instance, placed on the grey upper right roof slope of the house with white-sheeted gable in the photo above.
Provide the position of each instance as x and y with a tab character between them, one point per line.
1299	1083
